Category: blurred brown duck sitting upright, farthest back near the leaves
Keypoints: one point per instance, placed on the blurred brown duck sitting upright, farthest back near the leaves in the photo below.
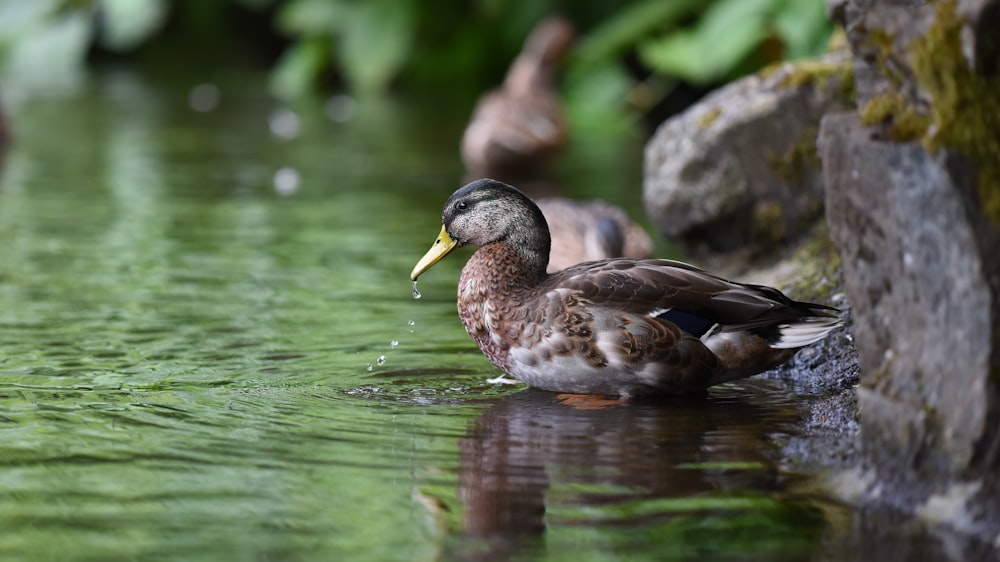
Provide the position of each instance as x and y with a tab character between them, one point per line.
515	128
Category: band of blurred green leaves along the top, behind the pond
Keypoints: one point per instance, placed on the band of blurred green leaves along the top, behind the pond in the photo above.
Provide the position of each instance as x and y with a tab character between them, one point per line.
371	46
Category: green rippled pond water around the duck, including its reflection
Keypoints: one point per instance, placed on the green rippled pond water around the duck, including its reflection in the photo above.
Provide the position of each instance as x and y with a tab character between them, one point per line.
185	352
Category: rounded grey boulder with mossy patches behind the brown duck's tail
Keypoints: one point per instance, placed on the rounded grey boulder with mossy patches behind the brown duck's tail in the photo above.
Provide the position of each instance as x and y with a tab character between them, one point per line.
741	165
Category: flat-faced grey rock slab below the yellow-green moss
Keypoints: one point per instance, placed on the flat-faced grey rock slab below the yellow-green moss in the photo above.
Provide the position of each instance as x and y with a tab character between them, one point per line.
924	309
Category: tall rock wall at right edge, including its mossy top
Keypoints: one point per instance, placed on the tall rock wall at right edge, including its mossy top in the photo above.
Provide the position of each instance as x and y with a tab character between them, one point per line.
912	183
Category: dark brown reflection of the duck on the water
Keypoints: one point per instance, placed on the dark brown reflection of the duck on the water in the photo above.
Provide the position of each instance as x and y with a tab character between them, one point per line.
533	463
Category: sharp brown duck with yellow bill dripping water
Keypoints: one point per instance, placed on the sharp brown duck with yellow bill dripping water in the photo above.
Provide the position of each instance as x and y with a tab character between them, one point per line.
623	327
